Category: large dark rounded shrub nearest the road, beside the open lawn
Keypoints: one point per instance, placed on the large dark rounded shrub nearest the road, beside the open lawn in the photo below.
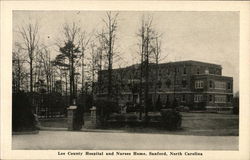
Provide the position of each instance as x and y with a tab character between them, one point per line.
170	119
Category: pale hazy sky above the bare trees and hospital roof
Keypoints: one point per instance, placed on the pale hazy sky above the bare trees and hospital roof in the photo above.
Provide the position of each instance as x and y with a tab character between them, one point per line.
200	35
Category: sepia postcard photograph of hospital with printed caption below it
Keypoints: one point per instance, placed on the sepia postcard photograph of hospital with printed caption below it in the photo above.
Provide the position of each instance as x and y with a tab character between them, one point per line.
119	82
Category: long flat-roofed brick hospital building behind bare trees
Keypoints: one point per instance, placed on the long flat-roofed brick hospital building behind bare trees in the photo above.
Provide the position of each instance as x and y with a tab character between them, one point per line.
191	83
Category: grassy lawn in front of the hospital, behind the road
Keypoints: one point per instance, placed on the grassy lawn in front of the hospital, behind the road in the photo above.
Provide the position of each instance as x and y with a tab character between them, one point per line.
203	124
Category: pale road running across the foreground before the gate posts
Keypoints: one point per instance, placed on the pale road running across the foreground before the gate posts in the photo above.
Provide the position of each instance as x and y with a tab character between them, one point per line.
68	140
